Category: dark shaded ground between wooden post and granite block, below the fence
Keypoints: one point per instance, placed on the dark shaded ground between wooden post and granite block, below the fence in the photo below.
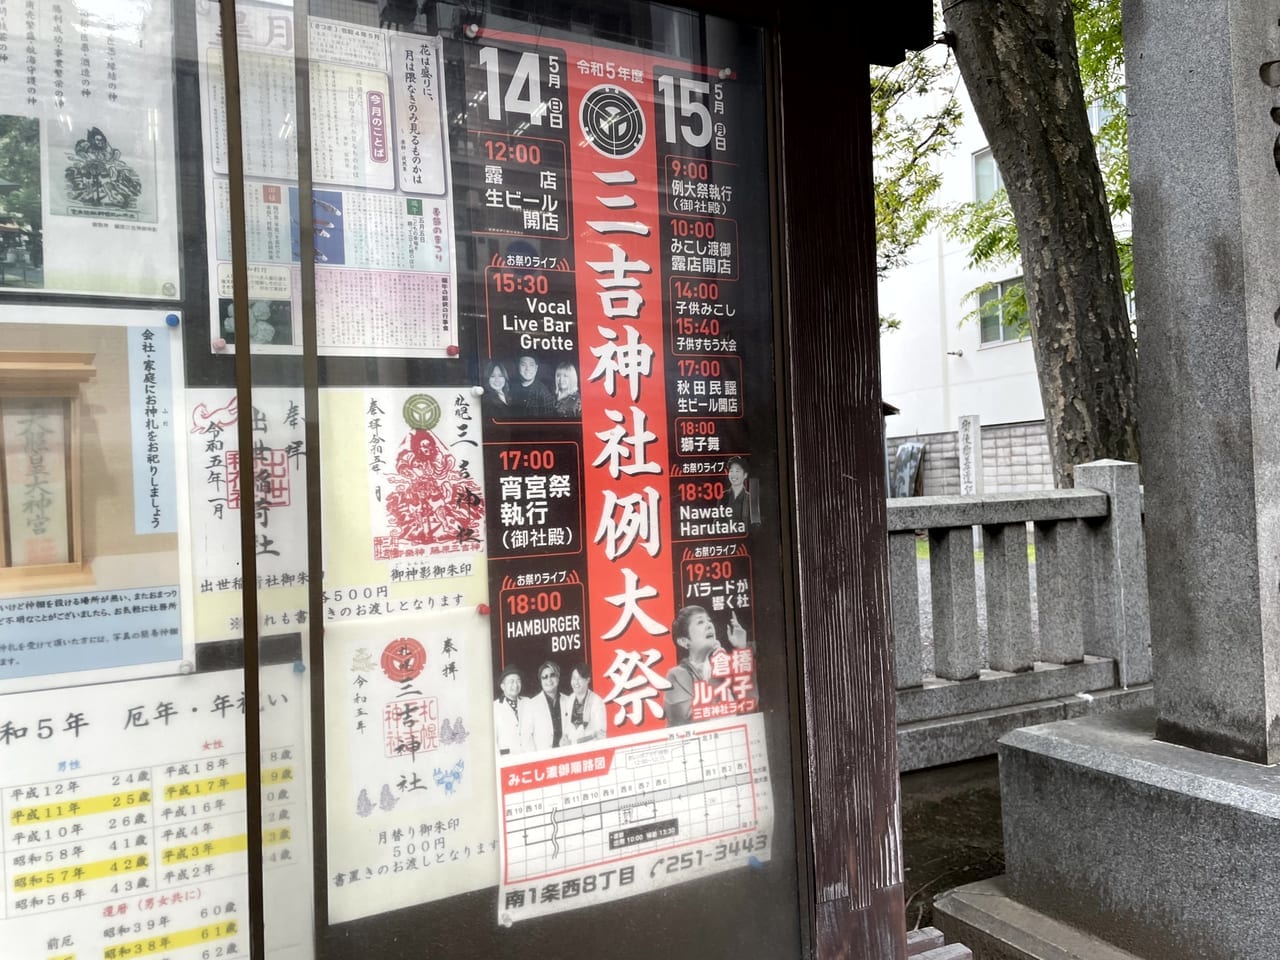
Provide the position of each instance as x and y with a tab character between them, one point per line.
952	833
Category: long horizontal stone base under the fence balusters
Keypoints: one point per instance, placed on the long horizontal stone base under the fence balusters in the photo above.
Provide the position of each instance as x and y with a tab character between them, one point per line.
964	737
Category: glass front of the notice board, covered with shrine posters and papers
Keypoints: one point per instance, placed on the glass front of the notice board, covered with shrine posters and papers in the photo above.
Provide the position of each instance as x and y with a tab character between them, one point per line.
420	356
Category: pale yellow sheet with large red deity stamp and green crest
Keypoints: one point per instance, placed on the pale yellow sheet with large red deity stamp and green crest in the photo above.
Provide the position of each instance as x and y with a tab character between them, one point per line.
404	501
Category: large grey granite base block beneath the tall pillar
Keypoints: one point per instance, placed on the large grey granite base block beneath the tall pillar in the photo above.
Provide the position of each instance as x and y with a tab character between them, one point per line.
1156	849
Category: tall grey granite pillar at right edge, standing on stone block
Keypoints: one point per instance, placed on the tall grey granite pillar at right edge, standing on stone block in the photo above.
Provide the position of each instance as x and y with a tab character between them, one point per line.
1206	199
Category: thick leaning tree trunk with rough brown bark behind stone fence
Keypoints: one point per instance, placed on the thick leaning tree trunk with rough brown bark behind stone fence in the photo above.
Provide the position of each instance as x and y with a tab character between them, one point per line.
1020	63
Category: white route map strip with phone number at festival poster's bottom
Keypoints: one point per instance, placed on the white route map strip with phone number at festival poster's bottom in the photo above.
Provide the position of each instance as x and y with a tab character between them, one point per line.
632	815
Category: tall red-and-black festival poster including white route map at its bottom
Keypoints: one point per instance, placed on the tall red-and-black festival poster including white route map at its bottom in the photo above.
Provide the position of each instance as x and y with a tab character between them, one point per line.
628	342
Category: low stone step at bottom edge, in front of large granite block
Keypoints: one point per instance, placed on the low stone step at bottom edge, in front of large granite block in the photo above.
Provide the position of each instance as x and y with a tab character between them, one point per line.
996	927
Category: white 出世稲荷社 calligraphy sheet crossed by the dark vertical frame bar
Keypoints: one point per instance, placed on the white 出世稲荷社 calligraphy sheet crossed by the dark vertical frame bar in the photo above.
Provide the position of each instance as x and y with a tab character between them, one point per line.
212	445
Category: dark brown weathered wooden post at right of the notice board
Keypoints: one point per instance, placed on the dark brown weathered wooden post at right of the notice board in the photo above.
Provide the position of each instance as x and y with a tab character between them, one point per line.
834	408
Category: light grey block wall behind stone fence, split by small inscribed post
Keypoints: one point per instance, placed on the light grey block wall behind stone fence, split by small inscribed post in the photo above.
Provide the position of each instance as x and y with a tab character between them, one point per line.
1014	458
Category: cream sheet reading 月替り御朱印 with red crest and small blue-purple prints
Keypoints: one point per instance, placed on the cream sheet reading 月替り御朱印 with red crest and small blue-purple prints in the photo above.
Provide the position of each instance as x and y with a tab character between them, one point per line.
410	778
